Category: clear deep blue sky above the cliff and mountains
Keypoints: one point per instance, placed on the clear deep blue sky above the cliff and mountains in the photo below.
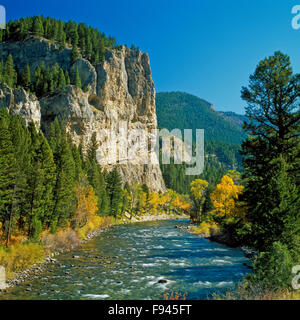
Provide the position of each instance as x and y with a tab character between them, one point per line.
204	47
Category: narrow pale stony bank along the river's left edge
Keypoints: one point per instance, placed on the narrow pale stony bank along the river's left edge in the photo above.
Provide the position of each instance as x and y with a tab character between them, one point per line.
39	267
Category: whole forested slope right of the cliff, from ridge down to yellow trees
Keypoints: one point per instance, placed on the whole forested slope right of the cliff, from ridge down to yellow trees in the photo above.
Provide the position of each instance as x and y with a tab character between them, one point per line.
223	136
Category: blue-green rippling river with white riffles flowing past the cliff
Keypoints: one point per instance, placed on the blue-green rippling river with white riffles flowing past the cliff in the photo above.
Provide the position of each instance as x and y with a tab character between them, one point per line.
128	261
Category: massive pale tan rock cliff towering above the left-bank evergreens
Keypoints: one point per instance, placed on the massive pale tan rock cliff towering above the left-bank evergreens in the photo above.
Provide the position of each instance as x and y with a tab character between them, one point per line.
118	92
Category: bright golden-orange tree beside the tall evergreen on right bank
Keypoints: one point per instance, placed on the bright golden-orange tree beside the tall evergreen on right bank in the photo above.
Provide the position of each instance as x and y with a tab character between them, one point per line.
224	196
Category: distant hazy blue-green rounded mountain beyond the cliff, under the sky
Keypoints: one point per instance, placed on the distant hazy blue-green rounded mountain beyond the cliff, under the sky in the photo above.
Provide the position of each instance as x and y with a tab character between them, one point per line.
185	111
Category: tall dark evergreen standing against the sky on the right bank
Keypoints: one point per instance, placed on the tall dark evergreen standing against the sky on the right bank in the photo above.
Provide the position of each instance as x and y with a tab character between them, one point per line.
273	129
